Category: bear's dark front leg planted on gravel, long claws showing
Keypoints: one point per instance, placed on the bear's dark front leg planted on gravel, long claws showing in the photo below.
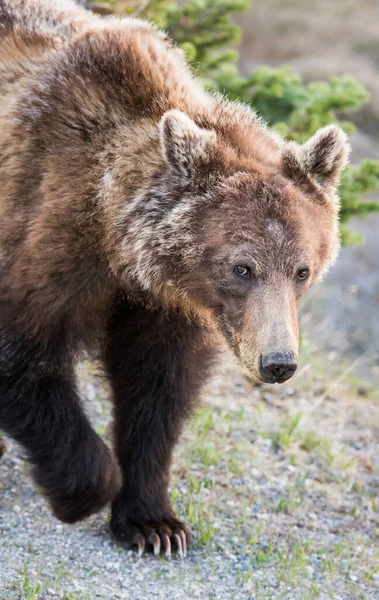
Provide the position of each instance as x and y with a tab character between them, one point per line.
156	364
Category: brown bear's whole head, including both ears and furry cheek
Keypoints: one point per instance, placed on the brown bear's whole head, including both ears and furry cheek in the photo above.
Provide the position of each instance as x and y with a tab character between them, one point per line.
240	240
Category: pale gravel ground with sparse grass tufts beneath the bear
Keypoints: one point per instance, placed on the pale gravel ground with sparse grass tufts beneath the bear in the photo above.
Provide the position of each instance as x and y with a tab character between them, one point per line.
280	487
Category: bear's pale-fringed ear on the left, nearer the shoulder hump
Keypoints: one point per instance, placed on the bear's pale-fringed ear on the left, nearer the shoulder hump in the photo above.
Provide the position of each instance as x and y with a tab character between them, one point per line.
184	144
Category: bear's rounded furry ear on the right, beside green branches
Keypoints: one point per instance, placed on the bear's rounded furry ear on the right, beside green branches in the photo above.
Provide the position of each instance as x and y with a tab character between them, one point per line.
322	157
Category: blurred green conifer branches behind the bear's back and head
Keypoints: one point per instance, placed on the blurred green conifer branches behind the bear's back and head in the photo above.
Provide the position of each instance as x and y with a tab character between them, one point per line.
204	29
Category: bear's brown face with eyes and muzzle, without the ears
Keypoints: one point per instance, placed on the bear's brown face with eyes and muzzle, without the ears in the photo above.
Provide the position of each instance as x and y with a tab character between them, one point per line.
264	244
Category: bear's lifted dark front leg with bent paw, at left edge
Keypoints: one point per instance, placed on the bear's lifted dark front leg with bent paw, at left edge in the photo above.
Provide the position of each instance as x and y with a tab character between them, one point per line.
41	409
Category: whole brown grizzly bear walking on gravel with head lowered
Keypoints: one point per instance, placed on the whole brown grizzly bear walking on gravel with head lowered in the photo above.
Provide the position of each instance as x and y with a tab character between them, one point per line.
140	216
